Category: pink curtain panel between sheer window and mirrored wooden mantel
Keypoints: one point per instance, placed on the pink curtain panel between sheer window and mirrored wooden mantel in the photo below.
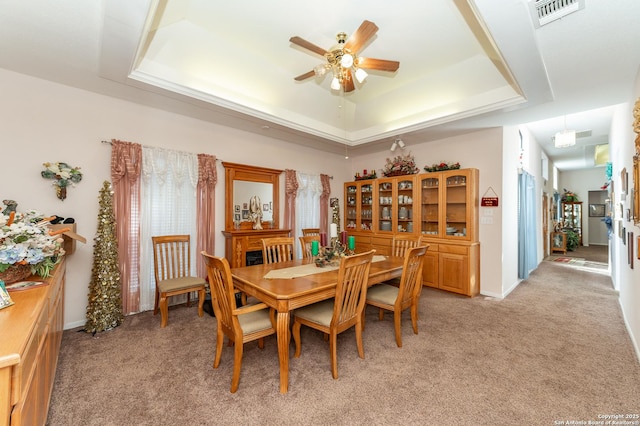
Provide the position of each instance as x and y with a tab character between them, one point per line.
206	219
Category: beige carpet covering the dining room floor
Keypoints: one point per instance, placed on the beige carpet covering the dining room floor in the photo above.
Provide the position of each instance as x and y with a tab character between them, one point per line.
555	350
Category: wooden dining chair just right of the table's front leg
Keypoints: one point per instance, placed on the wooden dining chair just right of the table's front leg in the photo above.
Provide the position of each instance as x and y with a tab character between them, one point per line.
333	316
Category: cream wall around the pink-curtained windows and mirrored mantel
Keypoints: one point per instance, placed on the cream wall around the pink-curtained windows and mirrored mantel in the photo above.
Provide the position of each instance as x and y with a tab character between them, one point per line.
44	121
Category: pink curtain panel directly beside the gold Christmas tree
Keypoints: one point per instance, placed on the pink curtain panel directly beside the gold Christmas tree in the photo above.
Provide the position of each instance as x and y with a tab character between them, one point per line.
126	162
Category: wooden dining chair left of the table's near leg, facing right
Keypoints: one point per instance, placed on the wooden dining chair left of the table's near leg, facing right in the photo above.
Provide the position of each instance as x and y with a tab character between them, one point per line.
240	325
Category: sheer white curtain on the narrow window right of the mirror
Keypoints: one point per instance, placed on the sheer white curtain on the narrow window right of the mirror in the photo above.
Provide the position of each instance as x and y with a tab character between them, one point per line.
307	204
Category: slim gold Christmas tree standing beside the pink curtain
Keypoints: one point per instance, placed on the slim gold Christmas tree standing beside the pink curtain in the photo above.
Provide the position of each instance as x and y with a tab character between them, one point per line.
105	295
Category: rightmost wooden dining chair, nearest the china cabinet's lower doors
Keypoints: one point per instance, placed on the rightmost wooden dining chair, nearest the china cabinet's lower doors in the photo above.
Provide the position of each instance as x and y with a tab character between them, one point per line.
406	295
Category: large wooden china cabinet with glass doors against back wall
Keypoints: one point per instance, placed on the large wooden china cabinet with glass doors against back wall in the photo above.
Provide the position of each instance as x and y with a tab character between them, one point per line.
442	207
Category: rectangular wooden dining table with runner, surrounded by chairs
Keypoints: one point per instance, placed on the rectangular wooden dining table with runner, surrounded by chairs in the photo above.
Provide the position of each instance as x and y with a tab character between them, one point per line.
286	294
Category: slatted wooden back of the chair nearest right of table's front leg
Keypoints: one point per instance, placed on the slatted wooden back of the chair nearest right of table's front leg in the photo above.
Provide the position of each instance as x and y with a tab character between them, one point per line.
350	298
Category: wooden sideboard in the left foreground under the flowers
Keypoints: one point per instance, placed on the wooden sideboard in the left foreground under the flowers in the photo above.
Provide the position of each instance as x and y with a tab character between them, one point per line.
31	332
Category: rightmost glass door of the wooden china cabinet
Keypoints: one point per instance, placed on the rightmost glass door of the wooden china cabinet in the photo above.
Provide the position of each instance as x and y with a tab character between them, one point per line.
456	204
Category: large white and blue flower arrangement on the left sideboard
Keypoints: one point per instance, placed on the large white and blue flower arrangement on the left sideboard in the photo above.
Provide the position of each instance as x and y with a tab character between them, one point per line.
25	239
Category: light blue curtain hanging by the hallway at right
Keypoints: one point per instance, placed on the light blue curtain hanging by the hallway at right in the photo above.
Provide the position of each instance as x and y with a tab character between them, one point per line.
527	225
